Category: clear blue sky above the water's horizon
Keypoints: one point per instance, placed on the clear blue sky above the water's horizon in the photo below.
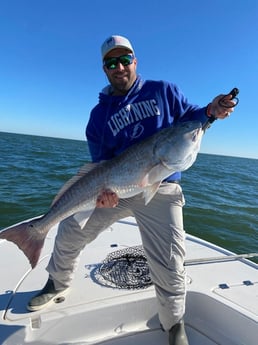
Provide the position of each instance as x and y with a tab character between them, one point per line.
51	73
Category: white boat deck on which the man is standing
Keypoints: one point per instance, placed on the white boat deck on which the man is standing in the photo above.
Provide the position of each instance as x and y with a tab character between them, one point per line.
112	299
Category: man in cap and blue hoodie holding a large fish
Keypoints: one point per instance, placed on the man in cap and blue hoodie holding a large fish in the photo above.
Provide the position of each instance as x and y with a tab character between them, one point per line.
129	110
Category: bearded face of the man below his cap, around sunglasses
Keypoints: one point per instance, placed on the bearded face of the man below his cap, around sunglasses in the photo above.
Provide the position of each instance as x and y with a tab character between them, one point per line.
121	77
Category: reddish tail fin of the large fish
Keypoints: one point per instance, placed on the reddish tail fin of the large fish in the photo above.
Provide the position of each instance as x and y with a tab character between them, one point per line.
27	239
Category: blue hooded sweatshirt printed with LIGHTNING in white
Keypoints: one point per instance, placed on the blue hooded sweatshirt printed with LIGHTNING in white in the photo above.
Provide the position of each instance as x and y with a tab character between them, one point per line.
118	122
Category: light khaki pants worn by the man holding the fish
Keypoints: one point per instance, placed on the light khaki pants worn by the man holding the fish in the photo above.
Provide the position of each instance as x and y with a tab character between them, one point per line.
163	238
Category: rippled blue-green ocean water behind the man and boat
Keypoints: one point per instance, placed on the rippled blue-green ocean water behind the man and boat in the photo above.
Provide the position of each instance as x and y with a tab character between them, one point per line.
221	192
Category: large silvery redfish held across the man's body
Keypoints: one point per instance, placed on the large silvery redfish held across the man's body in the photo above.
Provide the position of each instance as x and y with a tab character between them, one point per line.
139	169
